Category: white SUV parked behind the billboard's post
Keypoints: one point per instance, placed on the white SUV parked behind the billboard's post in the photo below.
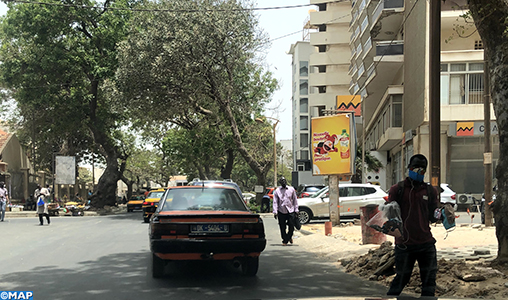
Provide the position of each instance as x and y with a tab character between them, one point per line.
352	196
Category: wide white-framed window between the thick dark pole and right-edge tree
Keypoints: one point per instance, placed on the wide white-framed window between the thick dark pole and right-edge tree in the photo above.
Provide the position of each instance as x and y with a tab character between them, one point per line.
462	83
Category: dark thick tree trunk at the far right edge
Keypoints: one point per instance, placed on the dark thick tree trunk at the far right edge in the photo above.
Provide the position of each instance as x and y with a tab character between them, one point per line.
490	19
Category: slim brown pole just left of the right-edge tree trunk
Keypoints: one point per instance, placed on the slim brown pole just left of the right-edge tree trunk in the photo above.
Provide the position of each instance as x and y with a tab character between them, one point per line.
487	155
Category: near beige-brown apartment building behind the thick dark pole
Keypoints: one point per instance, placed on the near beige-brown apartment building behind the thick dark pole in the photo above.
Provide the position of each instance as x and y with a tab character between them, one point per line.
389	42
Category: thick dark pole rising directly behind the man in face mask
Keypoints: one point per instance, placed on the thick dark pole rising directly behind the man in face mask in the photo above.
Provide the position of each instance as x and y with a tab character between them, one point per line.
434	91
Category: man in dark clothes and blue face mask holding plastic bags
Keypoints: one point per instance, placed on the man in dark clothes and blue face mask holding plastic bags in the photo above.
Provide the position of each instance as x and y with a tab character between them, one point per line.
418	201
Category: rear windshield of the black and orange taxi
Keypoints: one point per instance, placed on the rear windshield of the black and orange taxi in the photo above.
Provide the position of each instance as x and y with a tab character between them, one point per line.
203	199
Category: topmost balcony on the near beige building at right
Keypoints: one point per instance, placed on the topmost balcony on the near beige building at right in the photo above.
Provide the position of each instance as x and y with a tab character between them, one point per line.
387	19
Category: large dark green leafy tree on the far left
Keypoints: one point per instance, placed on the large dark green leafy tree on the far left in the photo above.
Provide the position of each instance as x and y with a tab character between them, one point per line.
55	60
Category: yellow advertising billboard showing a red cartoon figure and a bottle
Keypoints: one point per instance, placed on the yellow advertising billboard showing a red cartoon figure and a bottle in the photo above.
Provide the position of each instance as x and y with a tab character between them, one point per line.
333	144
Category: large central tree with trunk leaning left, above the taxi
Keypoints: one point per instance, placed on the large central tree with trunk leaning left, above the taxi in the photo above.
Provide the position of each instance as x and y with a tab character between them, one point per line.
197	59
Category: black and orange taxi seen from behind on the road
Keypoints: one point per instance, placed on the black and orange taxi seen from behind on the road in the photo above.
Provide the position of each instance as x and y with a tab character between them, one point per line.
208	222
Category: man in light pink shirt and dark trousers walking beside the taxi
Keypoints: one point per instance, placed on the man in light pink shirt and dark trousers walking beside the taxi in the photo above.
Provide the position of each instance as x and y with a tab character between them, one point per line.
285	203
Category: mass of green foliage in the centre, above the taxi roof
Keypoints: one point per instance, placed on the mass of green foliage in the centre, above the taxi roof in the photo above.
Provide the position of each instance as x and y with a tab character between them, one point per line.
200	69
